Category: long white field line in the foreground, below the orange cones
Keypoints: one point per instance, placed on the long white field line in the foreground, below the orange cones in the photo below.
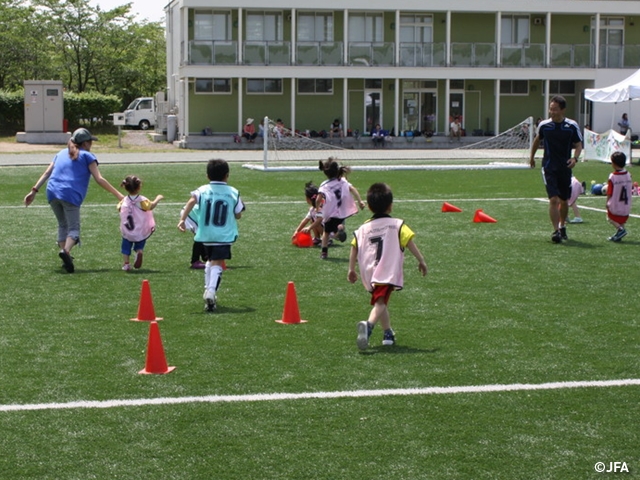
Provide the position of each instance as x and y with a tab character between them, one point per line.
270	397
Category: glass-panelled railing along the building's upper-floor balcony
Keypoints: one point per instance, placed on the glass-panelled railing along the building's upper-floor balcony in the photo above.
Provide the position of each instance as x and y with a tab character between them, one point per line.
480	55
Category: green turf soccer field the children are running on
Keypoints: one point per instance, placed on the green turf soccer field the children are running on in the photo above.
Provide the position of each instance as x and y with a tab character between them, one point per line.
479	385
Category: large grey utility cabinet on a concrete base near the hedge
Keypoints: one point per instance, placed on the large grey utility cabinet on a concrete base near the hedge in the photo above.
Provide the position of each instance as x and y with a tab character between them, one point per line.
43	113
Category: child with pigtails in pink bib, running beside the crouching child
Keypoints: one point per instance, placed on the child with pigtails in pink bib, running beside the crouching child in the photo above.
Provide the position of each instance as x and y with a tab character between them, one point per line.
334	203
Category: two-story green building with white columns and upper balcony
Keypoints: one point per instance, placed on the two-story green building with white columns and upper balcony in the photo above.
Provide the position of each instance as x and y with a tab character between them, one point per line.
408	67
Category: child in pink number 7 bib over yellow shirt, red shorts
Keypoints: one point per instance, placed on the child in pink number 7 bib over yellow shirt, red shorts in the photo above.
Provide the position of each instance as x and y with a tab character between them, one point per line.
378	248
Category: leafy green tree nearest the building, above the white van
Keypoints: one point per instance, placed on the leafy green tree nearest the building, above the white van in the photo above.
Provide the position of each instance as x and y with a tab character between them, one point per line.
104	50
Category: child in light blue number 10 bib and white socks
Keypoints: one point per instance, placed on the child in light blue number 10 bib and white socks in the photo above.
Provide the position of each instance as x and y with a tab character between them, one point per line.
219	208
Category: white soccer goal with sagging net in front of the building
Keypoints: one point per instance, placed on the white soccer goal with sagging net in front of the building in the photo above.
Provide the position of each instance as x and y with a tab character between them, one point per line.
284	149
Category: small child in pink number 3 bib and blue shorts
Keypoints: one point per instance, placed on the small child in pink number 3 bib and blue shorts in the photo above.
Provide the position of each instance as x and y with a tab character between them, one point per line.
136	221
